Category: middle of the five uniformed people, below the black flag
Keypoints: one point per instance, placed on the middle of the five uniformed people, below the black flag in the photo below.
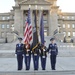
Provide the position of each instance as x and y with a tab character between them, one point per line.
35	53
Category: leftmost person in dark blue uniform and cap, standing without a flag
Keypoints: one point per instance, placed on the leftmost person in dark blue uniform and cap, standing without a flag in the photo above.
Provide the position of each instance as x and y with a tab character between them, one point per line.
19	52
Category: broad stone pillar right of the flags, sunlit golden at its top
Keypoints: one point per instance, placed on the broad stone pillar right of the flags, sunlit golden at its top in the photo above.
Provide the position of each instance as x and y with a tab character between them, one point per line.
53	20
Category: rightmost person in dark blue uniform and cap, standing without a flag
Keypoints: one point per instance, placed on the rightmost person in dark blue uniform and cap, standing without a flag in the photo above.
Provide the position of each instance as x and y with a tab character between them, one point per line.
53	49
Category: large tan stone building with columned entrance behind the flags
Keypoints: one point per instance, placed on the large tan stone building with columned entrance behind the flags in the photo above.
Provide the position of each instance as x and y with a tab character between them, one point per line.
55	21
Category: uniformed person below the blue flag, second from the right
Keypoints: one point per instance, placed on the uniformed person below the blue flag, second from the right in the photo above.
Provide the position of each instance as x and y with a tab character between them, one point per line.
43	55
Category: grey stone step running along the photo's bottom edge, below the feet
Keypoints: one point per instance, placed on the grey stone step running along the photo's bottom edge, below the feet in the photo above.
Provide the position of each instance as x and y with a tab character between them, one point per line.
38	73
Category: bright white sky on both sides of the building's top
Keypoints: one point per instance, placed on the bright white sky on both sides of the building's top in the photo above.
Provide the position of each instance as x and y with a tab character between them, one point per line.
64	5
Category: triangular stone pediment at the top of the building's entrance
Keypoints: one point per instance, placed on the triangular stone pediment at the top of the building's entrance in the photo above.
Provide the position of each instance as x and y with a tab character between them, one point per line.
35	2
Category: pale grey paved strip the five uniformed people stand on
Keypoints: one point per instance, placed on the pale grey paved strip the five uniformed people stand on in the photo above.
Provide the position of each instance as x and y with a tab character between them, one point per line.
63	63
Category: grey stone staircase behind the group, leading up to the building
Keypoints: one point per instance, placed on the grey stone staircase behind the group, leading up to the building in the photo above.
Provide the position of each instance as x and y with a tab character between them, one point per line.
65	49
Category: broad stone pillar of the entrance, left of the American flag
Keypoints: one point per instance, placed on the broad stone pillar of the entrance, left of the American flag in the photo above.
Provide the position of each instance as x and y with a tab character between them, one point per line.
17	20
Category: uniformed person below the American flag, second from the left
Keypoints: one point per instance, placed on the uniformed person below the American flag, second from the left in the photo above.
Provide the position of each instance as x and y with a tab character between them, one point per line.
27	55
